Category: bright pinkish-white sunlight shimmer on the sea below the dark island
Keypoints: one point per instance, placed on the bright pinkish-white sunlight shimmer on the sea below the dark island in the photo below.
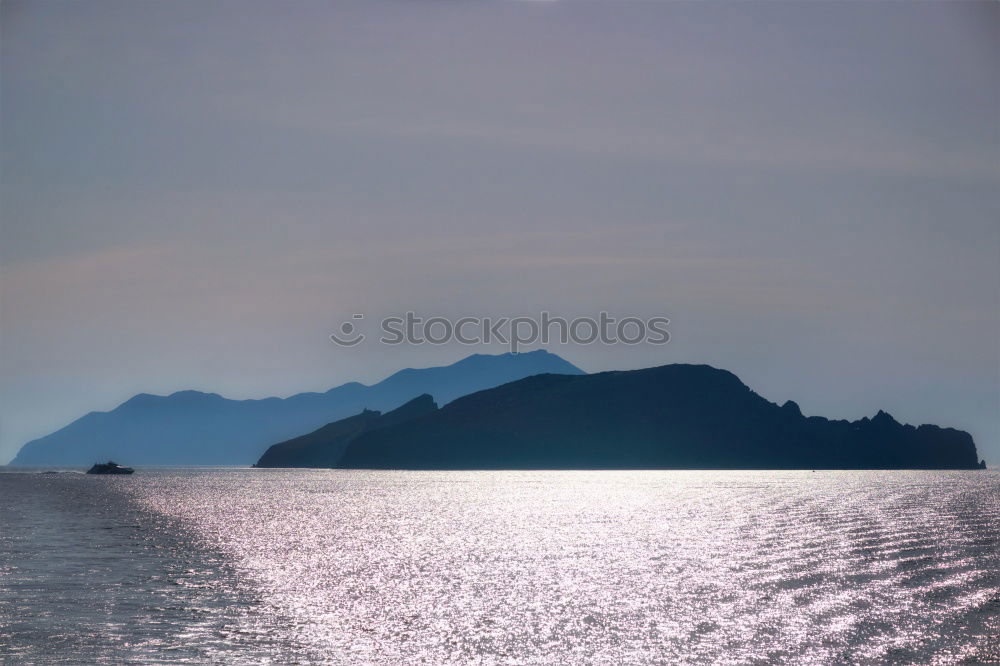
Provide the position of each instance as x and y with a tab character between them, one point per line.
601	567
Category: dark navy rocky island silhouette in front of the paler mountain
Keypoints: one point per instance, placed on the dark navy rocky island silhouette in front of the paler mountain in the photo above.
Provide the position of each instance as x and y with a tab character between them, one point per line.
668	417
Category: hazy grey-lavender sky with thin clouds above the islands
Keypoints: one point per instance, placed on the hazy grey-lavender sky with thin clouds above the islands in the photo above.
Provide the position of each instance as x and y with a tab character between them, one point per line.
195	195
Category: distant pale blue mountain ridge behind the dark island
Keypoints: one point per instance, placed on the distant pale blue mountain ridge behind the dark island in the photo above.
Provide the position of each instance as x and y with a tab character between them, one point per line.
195	428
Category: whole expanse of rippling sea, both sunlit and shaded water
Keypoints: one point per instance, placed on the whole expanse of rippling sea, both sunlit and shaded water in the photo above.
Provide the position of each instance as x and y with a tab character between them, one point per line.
246	566
